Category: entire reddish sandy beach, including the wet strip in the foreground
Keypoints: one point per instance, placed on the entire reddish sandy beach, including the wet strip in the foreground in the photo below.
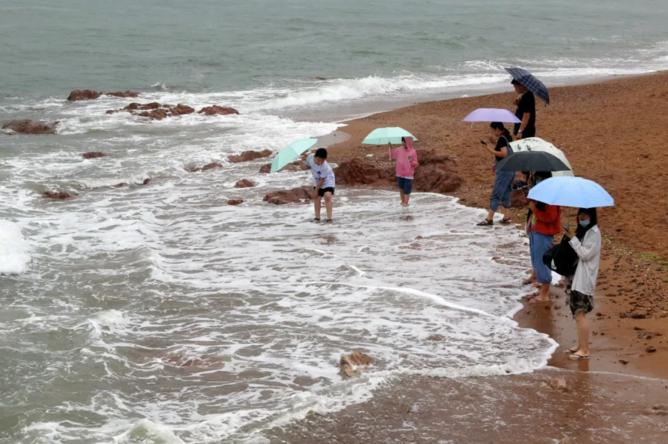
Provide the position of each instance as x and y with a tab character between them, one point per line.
613	132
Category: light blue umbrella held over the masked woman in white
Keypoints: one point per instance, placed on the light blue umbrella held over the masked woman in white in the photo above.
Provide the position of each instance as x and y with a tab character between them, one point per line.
568	191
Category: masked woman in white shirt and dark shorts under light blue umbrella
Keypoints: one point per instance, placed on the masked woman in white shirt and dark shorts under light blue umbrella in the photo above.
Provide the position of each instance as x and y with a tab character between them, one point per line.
587	245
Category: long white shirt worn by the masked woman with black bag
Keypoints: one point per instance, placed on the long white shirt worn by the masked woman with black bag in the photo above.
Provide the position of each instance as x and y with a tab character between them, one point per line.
589	252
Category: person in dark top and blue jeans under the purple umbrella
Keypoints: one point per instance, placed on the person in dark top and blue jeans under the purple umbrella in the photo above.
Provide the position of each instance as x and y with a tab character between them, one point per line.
503	180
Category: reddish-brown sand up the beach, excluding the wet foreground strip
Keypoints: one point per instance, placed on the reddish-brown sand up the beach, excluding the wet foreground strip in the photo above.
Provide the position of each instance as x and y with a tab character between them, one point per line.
613	132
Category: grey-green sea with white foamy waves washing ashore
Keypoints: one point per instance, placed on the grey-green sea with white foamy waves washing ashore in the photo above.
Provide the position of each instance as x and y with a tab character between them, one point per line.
147	310
